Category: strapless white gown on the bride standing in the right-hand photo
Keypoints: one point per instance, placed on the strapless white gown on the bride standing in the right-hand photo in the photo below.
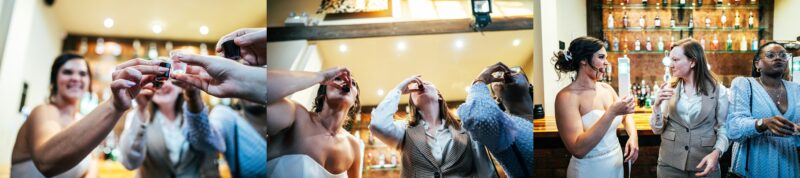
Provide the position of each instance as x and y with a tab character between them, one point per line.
605	159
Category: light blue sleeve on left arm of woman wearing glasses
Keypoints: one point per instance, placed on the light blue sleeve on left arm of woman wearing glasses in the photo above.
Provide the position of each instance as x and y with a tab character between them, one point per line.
740	122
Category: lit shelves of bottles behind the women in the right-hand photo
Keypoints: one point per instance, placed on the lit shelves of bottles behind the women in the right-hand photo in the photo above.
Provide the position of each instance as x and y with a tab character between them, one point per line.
644	30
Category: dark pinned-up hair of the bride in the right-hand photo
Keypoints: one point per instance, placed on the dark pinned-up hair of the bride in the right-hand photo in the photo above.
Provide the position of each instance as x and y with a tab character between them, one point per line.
580	49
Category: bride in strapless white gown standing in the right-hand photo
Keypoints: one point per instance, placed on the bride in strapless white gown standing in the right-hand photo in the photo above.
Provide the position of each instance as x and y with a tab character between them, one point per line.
588	113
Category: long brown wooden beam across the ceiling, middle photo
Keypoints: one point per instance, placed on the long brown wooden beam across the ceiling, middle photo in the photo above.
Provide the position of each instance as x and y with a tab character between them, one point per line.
393	29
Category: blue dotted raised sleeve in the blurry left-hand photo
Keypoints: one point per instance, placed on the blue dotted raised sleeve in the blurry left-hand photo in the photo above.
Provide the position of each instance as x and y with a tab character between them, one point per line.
201	133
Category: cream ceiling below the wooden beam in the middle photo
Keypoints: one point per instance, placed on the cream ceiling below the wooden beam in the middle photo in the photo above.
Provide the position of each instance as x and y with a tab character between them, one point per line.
377	63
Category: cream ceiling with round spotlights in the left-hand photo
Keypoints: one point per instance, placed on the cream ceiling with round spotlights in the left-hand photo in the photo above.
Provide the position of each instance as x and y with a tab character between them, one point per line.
181	19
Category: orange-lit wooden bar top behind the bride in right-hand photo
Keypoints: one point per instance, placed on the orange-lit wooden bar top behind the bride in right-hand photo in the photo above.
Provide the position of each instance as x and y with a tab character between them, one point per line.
546	127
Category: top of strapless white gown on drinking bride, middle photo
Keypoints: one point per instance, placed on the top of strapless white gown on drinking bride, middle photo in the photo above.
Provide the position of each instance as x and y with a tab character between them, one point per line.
298	166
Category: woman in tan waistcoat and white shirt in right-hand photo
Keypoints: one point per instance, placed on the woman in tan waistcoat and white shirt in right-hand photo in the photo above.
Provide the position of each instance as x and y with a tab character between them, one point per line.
689	114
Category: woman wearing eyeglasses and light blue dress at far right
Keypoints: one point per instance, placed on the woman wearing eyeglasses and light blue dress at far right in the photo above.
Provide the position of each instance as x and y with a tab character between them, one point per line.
762	116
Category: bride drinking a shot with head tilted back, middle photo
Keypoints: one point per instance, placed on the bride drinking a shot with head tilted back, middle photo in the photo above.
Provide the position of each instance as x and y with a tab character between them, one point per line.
312	144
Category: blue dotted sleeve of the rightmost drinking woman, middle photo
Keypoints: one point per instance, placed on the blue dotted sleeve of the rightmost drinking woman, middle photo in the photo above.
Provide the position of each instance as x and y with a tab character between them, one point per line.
485	121
